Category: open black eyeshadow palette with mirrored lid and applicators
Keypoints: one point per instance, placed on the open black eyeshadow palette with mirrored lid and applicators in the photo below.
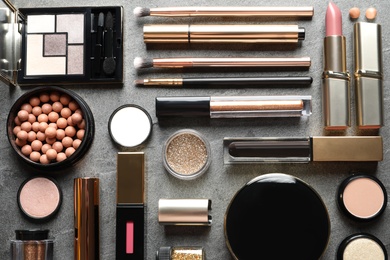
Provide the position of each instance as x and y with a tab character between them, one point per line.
66	45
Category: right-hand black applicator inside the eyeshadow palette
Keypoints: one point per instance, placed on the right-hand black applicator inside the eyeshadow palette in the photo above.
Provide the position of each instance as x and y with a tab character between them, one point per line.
109	63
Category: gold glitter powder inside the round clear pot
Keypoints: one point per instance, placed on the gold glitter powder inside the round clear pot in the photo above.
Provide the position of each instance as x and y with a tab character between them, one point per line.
186	154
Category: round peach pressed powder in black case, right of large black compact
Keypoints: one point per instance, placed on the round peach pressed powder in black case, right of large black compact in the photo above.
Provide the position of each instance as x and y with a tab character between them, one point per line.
362	197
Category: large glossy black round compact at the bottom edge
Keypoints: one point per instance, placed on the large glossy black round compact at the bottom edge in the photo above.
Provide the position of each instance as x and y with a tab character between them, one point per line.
276	216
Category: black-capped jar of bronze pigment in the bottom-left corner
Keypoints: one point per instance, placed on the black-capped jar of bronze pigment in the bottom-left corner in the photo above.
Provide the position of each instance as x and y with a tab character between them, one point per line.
32	245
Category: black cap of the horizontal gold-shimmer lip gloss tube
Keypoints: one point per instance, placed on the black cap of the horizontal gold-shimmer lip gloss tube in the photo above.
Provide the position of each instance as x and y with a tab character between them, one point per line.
183	106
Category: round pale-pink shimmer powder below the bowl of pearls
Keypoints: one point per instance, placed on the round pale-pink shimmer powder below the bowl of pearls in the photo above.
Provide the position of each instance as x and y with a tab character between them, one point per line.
39	198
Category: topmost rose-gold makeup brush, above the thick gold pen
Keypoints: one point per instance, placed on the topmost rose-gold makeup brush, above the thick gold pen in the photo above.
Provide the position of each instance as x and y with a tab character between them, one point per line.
289	11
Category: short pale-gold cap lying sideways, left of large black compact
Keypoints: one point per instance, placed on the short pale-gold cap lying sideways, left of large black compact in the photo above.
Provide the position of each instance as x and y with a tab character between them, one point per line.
189	212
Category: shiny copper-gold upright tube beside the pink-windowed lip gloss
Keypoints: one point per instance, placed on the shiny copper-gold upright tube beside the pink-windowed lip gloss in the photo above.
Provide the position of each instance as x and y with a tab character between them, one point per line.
86	219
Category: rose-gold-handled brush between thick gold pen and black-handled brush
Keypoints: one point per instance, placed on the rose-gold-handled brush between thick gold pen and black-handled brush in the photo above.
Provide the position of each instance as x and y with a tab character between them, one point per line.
140	63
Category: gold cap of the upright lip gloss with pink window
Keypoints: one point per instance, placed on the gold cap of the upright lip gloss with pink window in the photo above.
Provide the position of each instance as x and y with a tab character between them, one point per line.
130	178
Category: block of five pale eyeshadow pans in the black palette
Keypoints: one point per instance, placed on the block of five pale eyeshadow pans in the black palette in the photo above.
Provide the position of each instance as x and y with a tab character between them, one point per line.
59	53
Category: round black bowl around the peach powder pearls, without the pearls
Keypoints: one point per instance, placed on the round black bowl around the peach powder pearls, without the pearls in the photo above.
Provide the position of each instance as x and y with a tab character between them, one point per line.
87	122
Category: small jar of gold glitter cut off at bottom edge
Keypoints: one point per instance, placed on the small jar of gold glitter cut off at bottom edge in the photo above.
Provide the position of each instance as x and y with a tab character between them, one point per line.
180	253
